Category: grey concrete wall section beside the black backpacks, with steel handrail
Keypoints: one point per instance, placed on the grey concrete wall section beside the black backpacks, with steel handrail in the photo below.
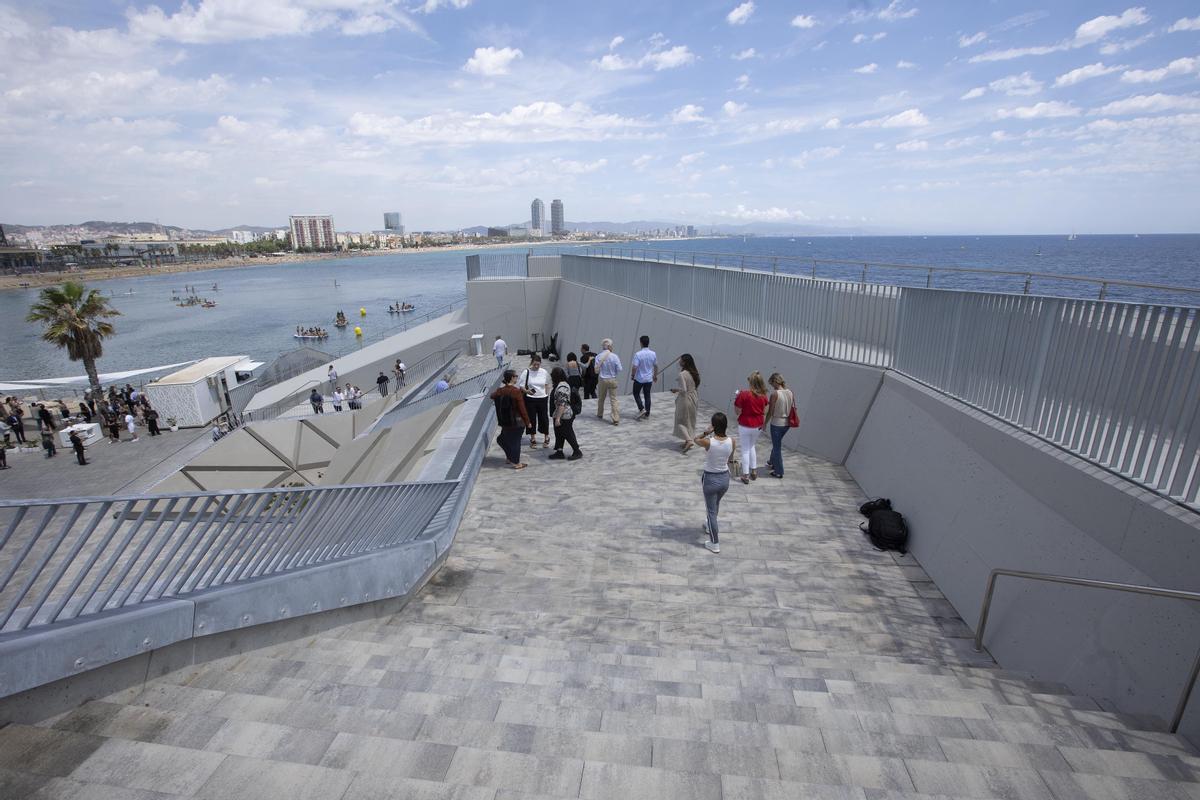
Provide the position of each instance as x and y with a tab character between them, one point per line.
981	496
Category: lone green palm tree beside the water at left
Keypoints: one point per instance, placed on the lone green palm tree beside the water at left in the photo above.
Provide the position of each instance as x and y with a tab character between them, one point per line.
74	318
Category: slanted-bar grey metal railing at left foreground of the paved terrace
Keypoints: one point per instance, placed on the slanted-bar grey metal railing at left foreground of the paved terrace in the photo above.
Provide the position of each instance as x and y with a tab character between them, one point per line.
70	560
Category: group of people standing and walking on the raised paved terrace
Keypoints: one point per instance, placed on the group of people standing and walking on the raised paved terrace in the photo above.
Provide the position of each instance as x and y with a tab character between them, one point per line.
533	401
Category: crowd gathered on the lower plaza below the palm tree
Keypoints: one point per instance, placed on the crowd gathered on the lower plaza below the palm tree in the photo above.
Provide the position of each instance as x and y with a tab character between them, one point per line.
115	412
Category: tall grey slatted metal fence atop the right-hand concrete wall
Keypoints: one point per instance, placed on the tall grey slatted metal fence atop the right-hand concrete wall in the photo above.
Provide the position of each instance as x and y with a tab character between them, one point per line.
1114	383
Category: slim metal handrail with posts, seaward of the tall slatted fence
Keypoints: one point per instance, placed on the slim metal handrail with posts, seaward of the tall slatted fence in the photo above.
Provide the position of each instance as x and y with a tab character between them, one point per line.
740	263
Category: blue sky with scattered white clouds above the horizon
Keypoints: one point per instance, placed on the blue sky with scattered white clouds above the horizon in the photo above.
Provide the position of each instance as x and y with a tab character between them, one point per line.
910	117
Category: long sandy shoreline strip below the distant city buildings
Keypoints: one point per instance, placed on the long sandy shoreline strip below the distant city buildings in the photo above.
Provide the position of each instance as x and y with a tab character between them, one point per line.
39	280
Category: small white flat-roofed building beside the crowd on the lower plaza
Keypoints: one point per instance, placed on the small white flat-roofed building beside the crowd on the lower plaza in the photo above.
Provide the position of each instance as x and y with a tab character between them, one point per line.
200	394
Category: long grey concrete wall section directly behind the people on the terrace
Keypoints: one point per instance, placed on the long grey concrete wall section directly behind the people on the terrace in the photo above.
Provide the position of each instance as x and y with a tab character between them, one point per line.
832	398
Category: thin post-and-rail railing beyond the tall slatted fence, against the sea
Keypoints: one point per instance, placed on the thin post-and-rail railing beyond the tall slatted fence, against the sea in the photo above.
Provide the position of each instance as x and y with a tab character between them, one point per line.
863	272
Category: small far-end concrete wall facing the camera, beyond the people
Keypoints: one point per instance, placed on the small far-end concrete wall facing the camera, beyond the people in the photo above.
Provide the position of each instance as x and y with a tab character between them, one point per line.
514	310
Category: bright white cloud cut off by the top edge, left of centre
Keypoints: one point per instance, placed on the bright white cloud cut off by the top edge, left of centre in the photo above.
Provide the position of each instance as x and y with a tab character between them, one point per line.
233	21
